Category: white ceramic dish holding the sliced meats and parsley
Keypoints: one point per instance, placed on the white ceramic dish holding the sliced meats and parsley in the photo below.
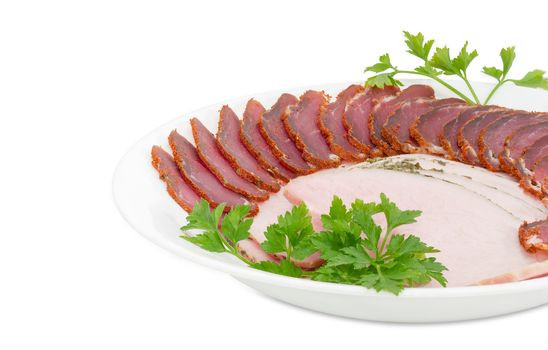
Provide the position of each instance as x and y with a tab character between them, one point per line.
144	203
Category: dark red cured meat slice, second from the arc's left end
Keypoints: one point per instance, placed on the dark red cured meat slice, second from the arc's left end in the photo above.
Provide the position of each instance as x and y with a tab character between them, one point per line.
204	183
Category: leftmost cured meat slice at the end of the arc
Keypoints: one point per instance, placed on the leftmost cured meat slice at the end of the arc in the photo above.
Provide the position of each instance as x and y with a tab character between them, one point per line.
177	188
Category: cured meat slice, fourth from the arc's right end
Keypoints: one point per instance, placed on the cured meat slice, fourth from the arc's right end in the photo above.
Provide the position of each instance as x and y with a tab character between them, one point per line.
491	139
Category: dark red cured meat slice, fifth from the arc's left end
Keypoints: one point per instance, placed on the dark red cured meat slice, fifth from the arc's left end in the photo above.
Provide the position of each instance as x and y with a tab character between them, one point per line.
256	145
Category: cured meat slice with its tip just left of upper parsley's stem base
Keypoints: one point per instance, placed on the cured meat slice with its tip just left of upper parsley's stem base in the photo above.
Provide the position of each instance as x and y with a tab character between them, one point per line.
427	129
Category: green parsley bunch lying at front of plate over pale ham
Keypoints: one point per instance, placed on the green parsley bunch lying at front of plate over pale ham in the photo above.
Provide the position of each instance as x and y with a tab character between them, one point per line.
355	248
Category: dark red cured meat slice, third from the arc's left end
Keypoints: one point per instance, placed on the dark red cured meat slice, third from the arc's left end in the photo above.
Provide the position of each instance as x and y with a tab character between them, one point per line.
214	160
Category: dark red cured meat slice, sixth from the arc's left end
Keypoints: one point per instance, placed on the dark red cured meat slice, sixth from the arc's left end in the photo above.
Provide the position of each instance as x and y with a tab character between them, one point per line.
273	130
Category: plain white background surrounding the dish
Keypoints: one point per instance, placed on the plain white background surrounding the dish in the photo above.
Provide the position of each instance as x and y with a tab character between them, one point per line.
81	81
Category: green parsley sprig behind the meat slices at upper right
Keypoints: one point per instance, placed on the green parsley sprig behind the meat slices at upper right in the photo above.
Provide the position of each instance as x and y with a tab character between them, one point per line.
440	63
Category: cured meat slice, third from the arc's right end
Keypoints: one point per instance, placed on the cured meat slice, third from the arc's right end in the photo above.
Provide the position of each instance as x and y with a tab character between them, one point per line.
517	143
